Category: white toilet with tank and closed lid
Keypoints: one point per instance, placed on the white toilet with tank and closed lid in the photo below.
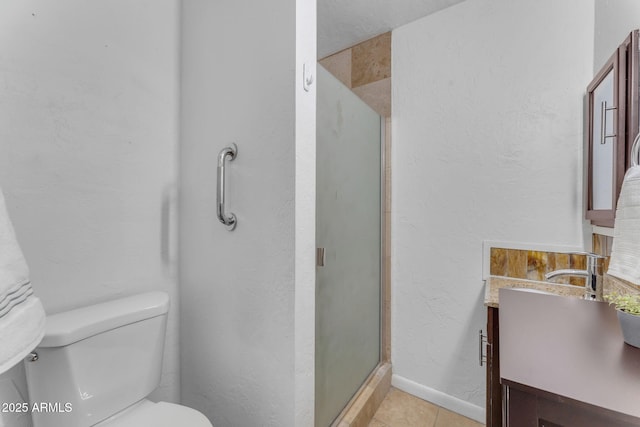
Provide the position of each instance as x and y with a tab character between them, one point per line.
96	366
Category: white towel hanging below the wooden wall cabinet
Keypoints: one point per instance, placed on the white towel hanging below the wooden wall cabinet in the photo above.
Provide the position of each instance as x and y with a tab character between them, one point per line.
625	252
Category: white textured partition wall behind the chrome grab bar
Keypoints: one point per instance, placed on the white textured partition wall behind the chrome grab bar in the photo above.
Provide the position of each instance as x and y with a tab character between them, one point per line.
247	295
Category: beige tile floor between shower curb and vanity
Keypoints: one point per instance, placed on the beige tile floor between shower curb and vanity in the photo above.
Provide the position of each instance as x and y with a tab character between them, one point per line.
400	409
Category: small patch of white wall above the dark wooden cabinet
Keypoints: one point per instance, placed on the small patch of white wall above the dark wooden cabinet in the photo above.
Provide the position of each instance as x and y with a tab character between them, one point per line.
614	20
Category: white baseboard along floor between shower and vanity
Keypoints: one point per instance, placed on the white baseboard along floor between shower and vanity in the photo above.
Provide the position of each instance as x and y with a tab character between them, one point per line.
439	398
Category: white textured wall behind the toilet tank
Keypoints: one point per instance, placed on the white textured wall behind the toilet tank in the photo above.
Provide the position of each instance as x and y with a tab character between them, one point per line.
88	143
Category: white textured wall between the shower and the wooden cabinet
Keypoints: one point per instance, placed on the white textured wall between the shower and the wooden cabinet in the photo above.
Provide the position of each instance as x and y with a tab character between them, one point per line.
487	144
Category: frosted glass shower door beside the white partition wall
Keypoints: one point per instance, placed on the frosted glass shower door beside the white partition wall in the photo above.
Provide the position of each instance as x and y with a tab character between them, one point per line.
348	228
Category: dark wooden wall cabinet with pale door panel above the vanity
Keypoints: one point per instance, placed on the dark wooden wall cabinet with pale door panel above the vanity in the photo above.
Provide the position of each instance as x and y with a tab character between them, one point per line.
612	126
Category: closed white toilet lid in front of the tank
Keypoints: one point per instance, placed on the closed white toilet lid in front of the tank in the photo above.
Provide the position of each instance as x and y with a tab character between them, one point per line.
161	414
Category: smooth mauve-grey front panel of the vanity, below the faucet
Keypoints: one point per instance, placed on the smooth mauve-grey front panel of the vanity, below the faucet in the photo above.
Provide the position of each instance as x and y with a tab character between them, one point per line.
570	347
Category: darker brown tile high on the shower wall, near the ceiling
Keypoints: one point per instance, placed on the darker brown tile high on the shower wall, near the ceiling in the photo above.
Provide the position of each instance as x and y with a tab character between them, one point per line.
371	60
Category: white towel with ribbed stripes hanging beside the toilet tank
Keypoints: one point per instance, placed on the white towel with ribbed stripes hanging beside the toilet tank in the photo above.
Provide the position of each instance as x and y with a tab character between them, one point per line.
22	317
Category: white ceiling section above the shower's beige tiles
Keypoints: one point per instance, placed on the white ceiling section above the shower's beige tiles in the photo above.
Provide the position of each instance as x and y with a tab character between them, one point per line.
344	23
